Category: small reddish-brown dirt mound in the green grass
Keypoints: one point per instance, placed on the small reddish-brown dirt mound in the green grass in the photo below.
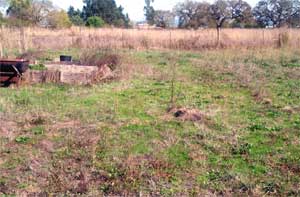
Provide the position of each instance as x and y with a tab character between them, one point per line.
186	114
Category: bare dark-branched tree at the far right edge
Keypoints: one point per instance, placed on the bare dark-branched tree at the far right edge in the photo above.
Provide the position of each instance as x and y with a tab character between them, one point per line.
276	13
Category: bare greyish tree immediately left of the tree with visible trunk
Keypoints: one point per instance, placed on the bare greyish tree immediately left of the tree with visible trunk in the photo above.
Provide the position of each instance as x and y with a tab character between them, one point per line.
193	14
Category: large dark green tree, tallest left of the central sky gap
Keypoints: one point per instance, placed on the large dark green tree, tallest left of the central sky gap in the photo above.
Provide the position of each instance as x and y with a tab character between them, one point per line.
105	9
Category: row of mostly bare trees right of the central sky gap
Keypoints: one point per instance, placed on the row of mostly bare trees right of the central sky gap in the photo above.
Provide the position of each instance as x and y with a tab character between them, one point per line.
226	13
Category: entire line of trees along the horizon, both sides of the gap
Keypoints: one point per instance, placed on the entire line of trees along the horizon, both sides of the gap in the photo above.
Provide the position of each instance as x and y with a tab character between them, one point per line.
188	14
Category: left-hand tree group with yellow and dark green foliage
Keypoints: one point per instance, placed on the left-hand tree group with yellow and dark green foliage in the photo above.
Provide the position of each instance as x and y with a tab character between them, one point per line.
95	13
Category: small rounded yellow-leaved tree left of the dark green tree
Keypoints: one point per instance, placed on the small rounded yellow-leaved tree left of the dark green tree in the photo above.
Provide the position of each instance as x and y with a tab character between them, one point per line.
59	19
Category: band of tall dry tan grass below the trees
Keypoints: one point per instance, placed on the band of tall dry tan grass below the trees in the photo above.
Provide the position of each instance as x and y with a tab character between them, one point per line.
37	38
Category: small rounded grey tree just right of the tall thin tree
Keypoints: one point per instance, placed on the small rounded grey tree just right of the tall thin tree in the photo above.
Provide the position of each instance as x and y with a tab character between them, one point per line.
164	19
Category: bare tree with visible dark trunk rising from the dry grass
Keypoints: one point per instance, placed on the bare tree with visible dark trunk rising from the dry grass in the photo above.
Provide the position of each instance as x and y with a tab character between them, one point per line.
223	10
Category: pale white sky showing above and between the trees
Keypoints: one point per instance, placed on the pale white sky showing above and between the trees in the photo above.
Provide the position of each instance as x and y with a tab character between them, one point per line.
133	7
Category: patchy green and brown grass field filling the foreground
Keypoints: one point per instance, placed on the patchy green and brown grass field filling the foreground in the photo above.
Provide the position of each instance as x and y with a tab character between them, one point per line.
118	138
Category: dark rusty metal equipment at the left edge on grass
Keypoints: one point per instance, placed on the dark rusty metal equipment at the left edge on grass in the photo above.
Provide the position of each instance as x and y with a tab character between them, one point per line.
11	71
